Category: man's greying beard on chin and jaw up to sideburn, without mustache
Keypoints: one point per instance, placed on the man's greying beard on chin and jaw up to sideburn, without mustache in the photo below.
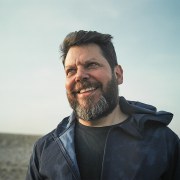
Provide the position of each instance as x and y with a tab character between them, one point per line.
90	111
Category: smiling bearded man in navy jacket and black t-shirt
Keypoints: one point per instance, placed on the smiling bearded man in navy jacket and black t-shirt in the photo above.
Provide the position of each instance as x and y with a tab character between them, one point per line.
106	137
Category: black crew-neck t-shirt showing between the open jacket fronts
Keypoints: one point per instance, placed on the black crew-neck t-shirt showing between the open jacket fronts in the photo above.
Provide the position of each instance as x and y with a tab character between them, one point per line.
89	146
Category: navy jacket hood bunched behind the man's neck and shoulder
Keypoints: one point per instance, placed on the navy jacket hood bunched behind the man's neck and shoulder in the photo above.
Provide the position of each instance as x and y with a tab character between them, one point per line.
144	112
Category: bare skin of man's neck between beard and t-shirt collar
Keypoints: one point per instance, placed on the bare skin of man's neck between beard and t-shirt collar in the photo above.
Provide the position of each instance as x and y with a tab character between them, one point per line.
115	117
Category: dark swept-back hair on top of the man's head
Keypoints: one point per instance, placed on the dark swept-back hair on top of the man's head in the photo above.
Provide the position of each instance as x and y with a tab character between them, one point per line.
81	37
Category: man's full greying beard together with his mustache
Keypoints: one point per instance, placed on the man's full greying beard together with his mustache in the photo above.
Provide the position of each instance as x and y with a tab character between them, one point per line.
90	111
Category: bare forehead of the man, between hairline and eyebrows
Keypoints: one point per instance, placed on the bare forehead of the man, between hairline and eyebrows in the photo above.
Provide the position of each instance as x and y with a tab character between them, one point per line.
81	54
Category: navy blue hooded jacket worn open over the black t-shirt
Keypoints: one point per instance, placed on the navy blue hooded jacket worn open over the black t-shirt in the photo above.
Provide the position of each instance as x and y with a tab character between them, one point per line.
140	148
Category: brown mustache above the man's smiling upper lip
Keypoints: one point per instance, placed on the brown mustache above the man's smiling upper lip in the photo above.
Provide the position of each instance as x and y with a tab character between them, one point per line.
83	85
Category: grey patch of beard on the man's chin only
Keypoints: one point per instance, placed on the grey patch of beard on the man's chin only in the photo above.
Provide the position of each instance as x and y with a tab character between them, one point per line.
93	113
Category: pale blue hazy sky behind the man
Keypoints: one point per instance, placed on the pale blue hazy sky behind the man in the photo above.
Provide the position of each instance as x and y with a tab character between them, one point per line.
32	93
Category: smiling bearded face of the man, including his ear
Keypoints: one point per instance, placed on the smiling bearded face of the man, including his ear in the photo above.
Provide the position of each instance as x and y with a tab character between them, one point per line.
92	87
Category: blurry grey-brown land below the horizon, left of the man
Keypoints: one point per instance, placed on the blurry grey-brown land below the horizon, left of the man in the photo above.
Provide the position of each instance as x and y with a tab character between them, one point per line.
15	151
